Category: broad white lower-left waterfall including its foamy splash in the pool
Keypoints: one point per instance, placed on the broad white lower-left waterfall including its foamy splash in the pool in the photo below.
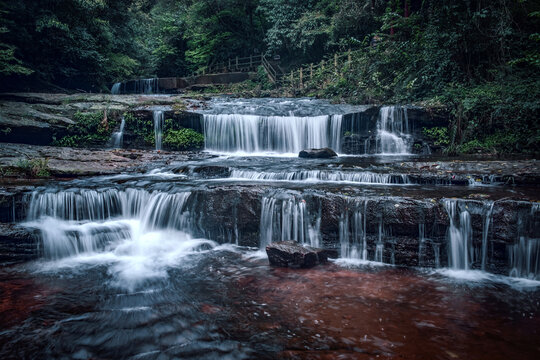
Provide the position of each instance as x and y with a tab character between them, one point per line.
137	233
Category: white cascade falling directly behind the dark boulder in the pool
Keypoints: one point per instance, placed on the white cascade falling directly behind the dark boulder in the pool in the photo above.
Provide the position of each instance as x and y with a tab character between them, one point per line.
287	219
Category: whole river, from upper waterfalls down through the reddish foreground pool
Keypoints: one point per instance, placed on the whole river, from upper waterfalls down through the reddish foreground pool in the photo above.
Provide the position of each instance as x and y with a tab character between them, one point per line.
167	263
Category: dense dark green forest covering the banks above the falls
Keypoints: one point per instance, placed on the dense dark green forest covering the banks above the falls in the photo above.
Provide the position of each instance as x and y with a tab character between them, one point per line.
478	58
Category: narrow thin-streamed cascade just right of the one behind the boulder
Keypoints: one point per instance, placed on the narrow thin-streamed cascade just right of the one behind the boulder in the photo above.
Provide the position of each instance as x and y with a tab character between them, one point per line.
352	230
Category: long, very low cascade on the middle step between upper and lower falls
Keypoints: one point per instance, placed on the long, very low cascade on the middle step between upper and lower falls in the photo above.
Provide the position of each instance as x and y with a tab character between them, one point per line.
363	177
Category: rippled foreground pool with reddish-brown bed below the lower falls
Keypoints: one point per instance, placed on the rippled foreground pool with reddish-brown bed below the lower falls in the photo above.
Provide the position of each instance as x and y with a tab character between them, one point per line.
223	304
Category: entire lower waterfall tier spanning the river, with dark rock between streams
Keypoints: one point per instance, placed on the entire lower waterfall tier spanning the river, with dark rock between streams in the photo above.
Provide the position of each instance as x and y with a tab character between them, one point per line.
80	221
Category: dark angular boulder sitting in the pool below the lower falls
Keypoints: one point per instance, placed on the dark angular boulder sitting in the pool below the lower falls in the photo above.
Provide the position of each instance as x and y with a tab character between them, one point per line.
294	255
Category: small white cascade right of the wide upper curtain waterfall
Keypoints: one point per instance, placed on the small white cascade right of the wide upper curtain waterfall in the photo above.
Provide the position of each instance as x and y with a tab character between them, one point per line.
393	132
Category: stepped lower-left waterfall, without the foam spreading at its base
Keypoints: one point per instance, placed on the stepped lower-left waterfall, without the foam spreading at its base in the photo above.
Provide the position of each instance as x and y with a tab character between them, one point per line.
74	222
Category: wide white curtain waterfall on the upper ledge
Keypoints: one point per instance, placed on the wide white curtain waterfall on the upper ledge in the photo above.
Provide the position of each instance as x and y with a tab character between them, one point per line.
281	134
